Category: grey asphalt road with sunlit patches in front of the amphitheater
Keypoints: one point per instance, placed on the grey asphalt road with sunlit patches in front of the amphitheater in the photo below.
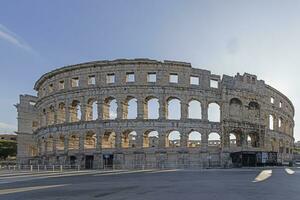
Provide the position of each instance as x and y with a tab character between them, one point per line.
233	184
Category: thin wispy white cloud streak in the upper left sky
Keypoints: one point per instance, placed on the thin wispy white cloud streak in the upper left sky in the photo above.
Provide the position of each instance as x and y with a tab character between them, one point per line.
11	37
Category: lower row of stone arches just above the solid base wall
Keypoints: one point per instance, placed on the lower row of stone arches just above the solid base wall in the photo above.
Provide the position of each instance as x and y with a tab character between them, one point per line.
130	139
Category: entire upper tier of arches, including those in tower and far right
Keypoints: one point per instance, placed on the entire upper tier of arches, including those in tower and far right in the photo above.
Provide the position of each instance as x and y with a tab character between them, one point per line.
150	108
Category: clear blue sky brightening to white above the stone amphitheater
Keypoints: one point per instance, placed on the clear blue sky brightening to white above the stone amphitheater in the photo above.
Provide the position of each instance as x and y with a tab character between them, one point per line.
260	37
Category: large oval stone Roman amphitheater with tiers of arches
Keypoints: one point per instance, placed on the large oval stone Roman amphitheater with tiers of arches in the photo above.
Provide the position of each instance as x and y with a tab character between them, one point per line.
144	113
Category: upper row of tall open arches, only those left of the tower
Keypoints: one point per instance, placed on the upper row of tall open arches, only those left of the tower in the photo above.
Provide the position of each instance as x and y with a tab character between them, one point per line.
110	109
